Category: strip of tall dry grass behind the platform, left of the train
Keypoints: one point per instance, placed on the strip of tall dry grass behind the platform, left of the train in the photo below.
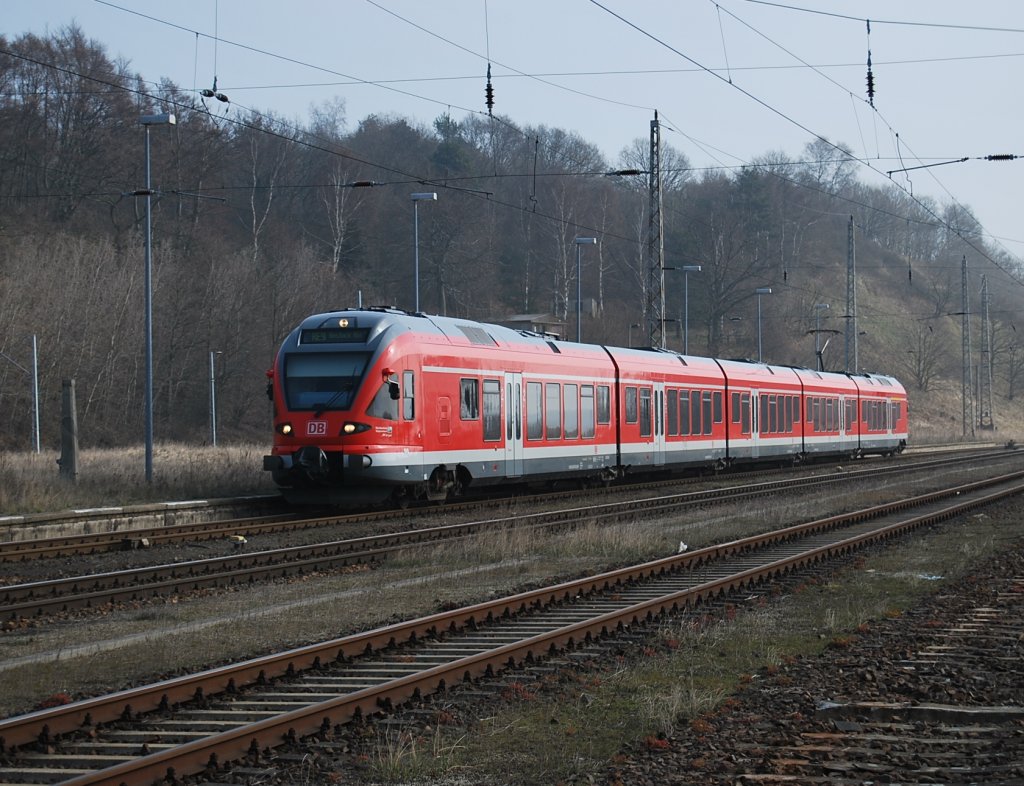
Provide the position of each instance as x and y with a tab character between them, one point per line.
31	483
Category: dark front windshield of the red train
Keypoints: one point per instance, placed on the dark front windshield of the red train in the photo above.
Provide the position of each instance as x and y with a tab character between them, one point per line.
324	380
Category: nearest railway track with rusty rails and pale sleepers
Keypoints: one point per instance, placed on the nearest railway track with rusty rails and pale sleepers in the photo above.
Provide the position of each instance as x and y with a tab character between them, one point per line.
203	723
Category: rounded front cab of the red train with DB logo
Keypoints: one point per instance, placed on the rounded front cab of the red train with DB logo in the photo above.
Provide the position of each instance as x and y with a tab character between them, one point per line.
345	396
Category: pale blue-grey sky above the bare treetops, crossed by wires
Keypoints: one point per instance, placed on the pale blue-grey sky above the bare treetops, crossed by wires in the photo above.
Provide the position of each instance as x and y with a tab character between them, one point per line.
732	80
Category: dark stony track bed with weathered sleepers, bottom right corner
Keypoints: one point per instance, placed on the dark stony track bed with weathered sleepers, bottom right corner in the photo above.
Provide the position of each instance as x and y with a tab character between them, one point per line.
932	697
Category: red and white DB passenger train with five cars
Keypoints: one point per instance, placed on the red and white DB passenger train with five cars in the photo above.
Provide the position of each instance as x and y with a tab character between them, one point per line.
378	405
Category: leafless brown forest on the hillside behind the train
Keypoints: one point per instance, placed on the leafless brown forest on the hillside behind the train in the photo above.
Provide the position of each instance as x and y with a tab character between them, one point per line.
261	222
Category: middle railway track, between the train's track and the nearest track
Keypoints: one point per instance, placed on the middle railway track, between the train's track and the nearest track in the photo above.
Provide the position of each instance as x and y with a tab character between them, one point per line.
32	600
